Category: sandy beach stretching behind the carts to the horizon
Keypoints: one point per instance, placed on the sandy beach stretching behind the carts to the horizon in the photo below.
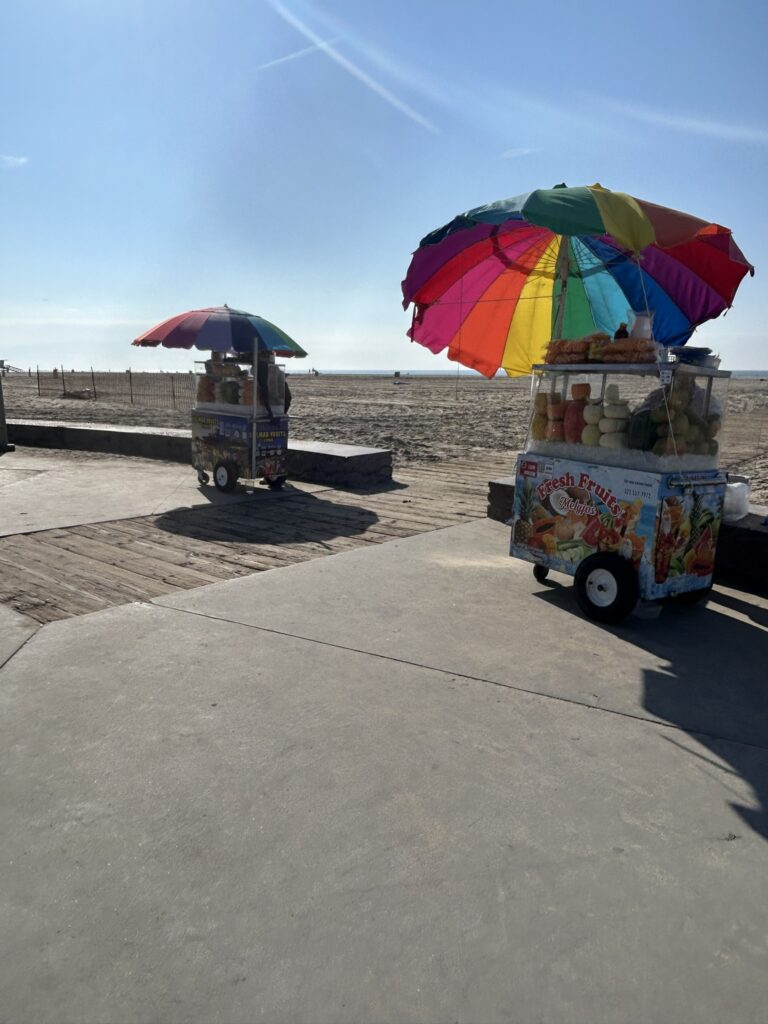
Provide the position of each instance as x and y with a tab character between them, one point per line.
422	419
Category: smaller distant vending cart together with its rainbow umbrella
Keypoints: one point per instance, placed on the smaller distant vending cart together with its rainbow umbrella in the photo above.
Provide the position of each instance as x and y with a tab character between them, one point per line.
240	421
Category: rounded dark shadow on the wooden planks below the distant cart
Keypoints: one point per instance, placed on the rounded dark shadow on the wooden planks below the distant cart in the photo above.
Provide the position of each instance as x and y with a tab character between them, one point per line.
276	520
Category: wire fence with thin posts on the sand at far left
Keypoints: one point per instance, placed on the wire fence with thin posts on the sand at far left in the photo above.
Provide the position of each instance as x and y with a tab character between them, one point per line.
160	391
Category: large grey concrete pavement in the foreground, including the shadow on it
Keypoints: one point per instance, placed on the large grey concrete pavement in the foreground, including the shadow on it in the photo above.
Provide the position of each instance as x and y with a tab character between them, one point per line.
401	784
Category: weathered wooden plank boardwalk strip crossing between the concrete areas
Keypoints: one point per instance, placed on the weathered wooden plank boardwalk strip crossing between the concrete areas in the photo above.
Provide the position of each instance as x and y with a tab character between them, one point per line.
75	571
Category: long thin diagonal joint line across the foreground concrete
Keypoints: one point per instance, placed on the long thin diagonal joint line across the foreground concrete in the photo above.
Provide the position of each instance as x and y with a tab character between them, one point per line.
476	679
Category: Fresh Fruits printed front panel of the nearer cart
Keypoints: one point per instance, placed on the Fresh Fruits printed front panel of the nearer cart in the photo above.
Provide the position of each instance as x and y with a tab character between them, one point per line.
566	511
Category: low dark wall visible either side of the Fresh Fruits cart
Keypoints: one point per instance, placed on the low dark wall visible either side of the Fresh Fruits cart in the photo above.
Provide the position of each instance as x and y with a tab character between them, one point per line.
743	547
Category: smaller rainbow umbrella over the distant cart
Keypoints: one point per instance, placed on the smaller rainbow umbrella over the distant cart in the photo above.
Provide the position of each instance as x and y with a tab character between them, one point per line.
221	329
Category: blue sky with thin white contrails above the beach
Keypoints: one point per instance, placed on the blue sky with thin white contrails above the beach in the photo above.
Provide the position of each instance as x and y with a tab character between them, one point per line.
286	157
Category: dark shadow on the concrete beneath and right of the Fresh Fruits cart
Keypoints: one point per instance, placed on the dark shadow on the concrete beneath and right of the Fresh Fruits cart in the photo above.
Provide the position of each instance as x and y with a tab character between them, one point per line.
714	685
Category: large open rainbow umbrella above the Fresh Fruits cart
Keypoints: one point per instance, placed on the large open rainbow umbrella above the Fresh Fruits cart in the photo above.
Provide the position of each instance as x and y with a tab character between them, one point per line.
494	286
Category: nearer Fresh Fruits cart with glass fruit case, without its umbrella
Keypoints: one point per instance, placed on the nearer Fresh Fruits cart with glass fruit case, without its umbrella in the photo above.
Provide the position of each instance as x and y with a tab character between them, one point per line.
619	485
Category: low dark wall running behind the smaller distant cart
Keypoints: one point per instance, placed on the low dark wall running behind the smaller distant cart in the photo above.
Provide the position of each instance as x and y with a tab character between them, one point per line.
317	462
